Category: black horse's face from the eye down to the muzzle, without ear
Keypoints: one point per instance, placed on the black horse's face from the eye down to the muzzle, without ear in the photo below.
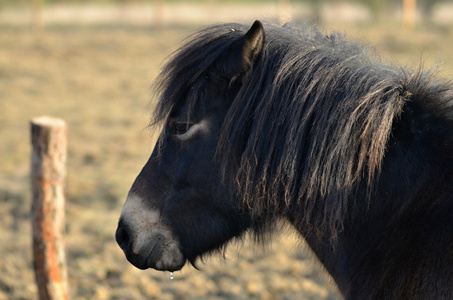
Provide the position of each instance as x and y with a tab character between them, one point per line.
177	208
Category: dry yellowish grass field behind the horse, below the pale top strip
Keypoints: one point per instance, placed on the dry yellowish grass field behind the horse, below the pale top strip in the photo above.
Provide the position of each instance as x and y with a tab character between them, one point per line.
98	78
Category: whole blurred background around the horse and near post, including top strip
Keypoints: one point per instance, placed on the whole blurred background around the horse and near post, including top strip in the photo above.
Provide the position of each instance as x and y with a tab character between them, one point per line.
92	63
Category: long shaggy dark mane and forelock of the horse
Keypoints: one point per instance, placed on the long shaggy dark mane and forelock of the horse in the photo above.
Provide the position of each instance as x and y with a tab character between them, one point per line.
310	124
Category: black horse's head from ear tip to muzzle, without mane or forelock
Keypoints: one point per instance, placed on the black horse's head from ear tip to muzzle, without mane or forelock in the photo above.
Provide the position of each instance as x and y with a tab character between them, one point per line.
178	207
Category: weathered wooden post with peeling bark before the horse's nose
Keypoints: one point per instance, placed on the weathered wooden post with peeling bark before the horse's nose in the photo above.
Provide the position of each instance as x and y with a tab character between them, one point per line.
48	172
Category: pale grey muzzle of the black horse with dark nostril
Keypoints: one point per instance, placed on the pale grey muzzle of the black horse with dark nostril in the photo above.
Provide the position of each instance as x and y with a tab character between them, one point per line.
146	241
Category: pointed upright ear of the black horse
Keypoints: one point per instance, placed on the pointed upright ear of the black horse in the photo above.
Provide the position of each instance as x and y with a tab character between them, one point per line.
243	53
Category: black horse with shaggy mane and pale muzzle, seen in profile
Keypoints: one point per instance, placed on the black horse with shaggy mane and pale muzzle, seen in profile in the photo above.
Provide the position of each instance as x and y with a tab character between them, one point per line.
303	127
